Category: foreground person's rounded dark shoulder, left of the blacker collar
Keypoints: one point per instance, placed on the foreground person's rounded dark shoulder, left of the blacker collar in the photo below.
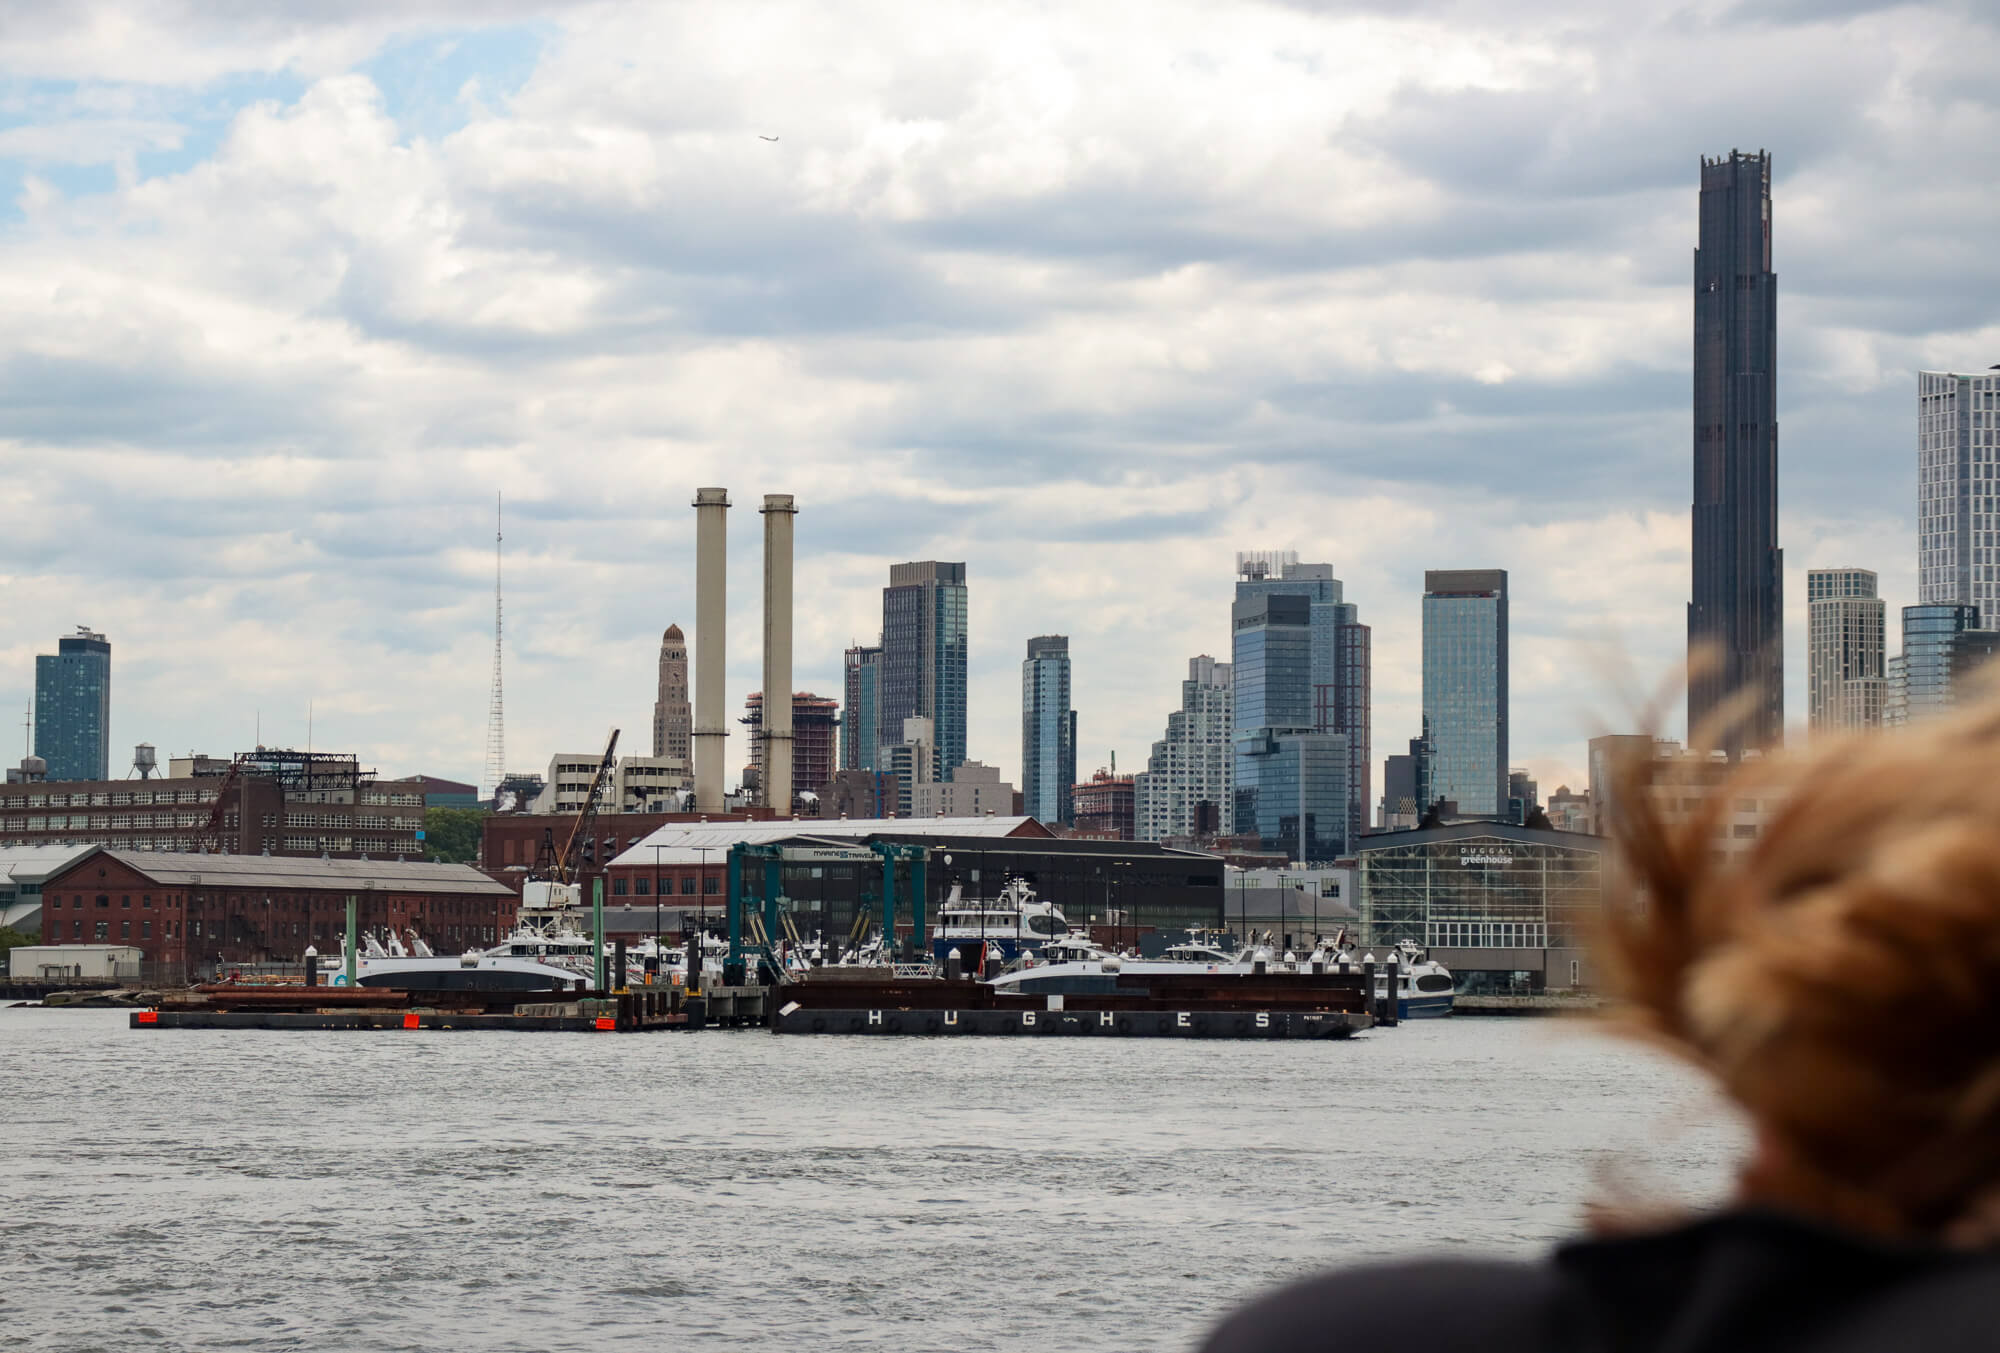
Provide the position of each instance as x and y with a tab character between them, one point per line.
1439	1304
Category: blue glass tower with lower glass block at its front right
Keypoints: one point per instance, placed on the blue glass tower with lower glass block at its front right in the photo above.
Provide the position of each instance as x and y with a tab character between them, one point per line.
1291	780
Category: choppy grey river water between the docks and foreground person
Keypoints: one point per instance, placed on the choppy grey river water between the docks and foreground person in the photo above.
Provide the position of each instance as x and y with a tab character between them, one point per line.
181	1190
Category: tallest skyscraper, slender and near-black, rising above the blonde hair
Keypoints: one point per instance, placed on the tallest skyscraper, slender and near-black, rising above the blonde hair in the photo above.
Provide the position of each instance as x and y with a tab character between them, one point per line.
1739	571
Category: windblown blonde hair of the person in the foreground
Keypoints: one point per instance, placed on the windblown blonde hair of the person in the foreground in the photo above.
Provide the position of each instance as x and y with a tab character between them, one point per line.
1841	980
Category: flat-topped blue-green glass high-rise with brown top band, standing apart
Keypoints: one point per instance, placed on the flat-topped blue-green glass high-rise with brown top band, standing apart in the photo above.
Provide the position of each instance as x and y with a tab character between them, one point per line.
1467	688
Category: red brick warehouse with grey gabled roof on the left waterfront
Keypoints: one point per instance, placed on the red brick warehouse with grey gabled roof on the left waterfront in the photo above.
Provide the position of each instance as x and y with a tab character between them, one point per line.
195	914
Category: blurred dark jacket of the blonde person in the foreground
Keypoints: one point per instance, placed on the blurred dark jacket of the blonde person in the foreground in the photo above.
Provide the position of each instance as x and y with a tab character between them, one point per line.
1751	1282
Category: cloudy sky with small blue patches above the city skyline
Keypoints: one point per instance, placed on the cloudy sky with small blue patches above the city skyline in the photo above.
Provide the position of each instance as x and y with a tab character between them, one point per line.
1087	295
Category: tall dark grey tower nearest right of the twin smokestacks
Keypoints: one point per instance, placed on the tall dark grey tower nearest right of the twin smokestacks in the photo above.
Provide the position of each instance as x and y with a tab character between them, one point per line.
925	657
